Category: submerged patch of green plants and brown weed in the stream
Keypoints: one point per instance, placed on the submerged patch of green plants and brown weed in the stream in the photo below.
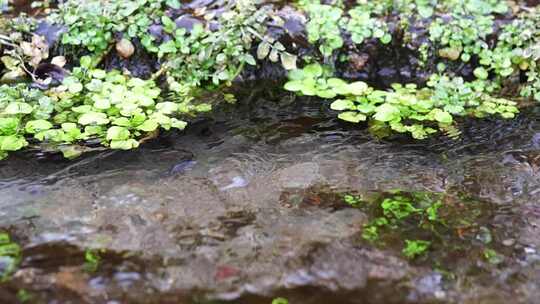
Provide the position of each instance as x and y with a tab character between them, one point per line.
426	224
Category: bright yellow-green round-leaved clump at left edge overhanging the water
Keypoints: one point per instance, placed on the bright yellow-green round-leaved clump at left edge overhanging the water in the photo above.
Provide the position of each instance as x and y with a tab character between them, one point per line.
92	104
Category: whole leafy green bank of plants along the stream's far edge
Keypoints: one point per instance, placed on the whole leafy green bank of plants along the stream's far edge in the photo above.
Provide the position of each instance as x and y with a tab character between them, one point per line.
83	75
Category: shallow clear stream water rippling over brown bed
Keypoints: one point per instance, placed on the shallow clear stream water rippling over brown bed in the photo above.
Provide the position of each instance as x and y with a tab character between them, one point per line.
248	205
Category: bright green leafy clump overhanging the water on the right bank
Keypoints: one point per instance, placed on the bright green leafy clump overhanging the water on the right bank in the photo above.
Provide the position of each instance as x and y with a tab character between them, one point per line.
404	109
